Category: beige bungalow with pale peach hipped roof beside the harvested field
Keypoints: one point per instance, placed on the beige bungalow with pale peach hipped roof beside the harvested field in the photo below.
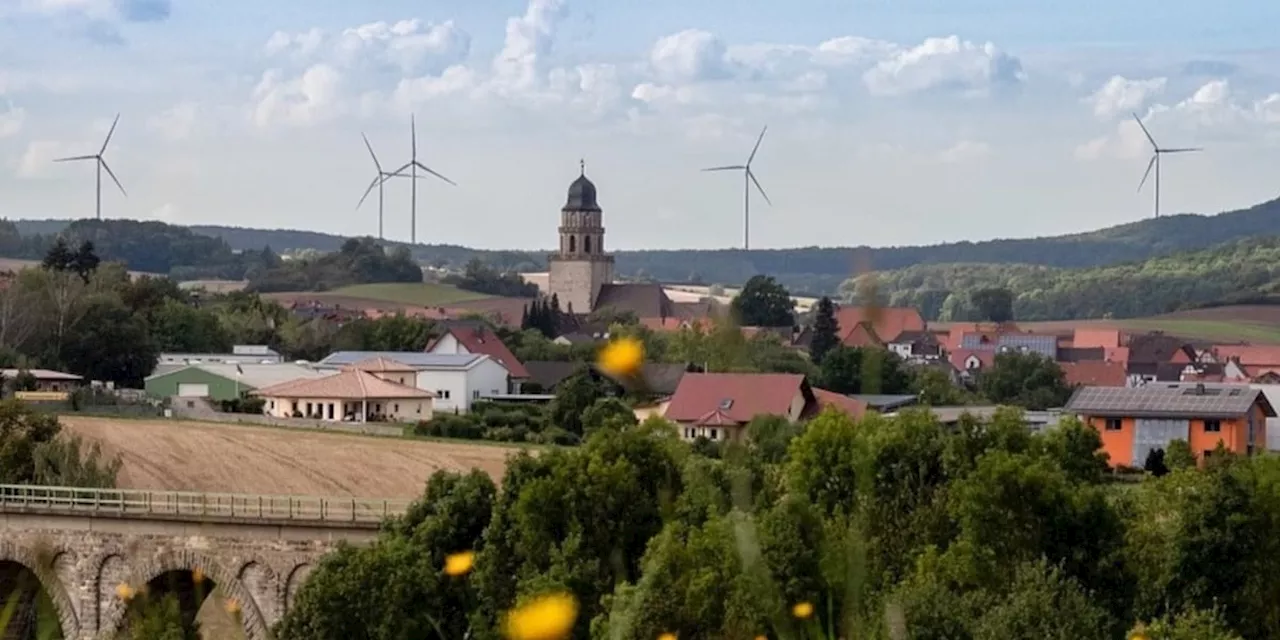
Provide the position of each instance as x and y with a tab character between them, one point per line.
350	396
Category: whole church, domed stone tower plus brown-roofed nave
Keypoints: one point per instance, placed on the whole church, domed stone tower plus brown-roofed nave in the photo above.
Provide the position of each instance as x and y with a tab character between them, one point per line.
582	271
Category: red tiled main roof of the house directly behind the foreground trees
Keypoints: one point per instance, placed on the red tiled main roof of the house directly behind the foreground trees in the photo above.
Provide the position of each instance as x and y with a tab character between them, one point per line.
739	396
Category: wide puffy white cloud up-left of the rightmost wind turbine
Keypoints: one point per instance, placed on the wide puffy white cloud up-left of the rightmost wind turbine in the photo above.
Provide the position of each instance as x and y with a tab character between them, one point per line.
944	63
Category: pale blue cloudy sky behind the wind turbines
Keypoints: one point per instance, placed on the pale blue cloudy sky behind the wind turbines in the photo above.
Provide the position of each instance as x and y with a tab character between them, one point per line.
890	122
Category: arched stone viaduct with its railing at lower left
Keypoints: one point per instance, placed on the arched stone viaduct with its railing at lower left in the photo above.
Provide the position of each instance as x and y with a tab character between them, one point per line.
80	546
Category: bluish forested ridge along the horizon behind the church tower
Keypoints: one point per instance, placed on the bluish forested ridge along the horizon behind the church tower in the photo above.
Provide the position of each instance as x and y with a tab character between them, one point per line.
817	269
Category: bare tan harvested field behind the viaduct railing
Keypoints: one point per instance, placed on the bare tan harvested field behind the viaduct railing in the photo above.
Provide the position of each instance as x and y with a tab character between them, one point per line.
230	459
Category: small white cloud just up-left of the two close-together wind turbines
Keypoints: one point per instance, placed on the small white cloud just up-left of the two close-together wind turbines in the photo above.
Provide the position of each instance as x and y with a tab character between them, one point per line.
310	99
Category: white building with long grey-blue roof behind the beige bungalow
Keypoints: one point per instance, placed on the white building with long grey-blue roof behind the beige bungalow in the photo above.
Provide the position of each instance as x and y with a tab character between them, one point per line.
456	380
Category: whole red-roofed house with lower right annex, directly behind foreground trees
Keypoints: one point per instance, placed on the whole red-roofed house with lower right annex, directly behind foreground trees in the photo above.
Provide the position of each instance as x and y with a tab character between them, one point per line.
719	406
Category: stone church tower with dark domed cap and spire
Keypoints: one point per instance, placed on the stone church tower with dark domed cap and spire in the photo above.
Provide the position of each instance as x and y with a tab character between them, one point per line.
582	267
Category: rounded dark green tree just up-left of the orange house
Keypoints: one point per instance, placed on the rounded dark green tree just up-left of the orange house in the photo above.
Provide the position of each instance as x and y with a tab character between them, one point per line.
1028	381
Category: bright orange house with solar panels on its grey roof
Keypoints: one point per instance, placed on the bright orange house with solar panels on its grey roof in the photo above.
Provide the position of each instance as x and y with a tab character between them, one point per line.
1135	422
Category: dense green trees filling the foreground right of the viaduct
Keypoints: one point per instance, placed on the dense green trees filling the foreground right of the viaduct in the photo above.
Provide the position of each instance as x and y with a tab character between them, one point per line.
863	529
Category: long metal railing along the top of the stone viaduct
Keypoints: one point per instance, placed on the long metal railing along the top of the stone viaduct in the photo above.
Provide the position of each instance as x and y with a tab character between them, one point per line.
132	502
